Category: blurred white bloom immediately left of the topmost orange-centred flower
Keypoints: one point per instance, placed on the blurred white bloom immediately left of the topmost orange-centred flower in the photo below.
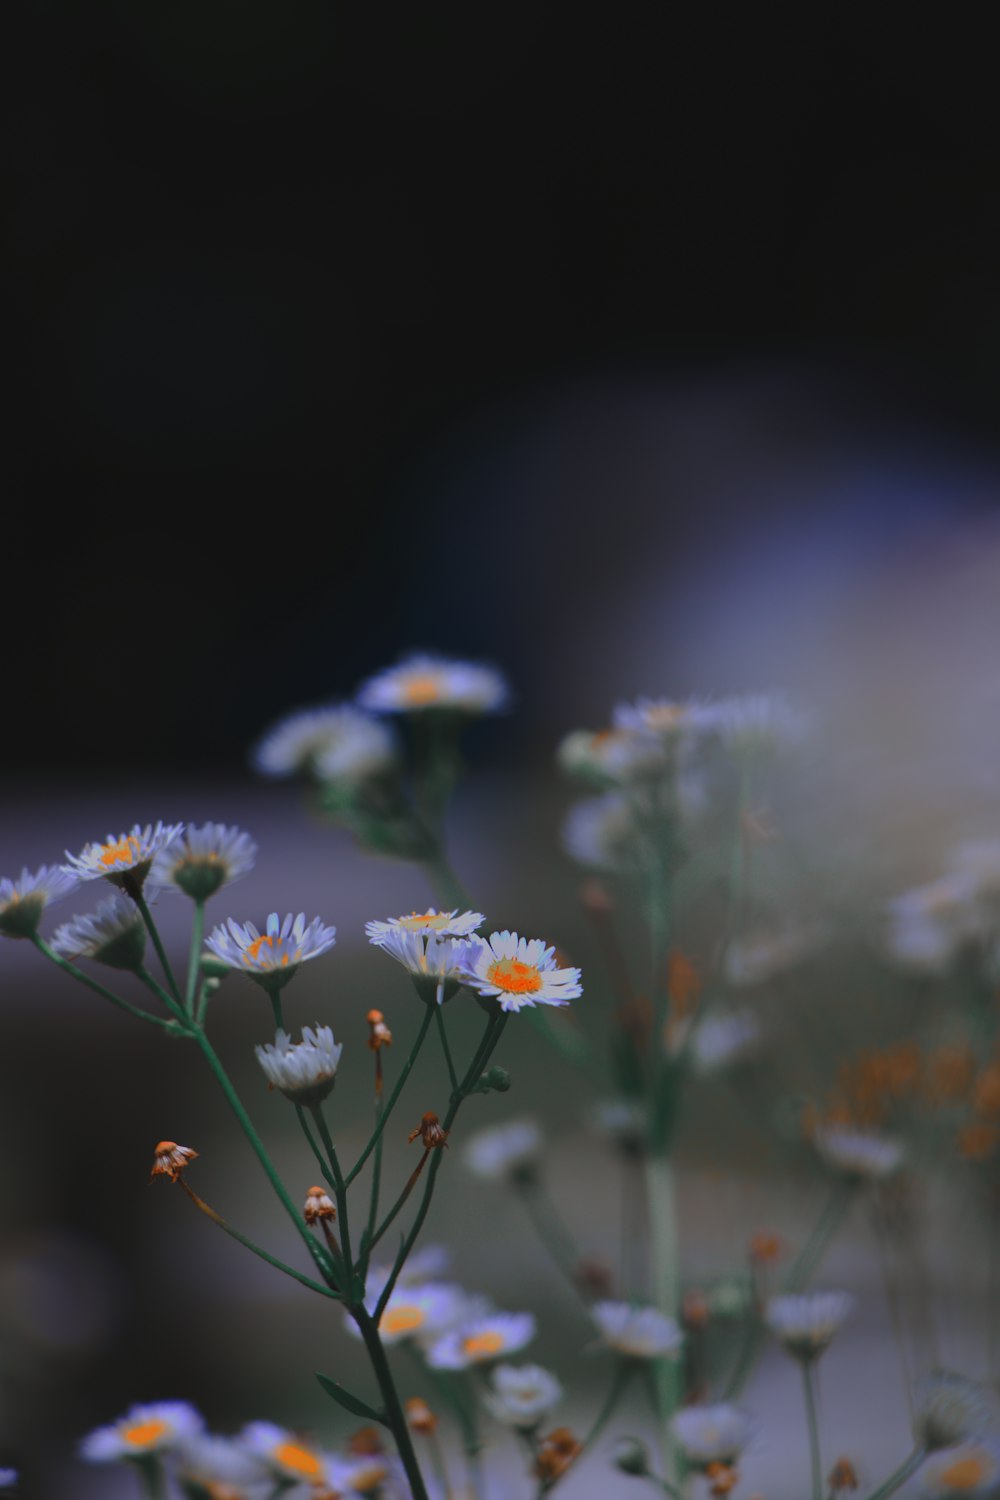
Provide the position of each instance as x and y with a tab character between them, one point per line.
337	743
